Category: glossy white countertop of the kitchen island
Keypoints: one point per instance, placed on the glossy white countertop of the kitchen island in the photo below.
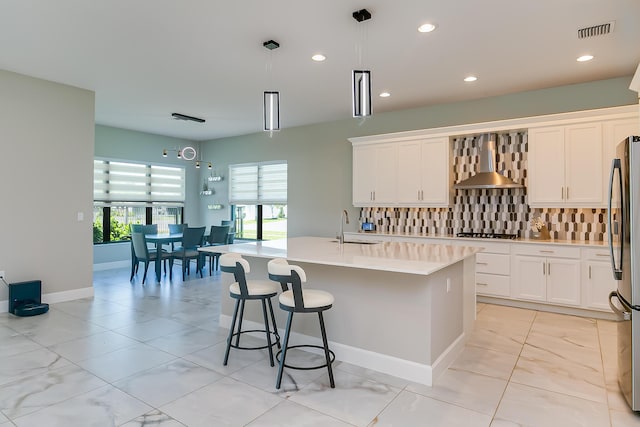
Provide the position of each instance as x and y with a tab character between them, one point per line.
401	257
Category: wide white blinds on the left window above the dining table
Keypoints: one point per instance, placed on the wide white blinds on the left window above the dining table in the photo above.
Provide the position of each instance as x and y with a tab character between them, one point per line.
133	182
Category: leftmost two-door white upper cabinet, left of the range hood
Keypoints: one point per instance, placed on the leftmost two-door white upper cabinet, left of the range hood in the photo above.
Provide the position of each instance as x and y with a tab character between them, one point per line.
374	175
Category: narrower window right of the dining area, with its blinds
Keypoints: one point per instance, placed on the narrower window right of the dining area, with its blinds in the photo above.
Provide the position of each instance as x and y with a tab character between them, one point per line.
258	193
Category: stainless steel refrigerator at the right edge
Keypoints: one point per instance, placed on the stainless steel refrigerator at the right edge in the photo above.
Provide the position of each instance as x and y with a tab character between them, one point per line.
624	242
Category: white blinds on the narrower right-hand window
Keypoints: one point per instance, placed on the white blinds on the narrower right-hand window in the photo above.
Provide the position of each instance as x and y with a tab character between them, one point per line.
258	183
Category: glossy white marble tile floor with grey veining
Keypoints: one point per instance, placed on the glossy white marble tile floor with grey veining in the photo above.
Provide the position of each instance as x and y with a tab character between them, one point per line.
151	355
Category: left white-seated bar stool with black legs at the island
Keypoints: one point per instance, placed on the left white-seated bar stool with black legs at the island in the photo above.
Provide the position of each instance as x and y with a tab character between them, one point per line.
242	290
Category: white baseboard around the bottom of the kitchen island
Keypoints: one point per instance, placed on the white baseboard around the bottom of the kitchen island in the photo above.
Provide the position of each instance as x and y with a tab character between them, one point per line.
401	368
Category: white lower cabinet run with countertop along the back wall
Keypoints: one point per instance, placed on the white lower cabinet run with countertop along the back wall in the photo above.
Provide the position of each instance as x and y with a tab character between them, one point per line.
562	275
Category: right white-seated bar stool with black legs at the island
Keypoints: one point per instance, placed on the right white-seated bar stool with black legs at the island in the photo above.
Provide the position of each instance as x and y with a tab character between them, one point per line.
297	300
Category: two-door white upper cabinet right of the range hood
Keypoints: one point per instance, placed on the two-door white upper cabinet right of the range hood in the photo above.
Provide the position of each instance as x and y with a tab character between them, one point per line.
565	166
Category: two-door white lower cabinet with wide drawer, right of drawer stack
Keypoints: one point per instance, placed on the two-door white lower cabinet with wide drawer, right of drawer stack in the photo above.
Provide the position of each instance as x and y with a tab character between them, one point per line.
547	274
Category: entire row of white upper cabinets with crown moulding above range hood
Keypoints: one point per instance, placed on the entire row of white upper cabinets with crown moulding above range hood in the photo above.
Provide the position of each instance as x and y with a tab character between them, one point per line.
569	157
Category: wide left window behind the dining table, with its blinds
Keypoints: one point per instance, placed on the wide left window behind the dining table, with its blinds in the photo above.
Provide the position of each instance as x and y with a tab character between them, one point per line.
133	193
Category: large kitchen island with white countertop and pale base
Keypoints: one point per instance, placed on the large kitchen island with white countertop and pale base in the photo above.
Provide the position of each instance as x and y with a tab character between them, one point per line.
400	308
